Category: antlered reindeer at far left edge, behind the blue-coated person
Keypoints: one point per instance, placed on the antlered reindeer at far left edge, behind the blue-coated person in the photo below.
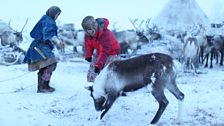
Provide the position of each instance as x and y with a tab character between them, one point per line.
9	36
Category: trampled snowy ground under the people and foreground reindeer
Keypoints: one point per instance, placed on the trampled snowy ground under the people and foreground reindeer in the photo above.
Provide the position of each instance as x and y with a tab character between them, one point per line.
71	104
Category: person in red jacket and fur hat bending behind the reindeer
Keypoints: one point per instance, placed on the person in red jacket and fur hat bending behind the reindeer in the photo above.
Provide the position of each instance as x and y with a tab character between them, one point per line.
100	44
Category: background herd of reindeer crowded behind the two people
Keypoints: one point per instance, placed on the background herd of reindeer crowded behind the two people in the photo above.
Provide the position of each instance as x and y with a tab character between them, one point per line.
192	48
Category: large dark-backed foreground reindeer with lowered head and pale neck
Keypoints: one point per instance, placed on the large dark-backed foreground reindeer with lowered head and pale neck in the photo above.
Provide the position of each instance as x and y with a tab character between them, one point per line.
132	74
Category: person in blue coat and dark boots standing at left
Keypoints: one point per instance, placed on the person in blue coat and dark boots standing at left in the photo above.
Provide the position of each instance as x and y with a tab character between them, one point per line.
40	55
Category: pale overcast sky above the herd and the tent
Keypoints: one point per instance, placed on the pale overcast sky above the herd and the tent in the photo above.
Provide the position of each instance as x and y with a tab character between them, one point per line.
117	11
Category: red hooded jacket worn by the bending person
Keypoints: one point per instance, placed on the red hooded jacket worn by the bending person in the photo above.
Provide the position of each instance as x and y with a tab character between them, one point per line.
103	41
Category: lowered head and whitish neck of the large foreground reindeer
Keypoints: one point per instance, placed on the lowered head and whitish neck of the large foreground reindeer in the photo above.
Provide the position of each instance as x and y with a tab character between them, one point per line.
103	91
